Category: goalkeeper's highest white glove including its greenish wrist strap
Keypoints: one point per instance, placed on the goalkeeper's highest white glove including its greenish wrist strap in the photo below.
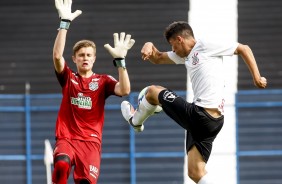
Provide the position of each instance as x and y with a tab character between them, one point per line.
64	10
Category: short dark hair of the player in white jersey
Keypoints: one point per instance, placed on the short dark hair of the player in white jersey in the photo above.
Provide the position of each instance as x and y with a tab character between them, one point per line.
178	28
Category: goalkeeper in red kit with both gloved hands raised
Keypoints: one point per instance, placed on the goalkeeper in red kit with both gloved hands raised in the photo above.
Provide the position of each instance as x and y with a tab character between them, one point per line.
80	119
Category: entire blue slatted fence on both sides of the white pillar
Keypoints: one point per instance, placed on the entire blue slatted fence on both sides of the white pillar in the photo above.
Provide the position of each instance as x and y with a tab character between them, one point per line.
29	119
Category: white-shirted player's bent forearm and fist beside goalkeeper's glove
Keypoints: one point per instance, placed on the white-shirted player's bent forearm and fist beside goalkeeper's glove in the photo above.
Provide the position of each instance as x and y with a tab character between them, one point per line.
151	53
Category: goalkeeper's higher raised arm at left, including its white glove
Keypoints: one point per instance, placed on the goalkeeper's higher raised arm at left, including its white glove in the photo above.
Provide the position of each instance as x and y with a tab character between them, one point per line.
64	10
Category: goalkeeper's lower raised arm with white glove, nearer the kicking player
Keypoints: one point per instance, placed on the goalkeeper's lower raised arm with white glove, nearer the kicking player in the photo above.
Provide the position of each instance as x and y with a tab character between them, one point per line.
121	45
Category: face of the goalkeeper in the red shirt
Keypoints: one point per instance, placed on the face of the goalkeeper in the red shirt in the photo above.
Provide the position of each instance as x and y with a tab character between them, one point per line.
84	59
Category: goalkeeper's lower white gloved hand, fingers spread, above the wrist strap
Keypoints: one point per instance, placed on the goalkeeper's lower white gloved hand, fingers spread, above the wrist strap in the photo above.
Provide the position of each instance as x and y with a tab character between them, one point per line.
121	45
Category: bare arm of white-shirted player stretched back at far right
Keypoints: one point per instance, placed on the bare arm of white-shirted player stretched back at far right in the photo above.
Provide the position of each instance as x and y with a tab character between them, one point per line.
247	55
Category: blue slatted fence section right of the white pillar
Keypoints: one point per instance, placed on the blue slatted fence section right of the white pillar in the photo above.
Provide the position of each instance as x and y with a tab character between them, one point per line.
259	136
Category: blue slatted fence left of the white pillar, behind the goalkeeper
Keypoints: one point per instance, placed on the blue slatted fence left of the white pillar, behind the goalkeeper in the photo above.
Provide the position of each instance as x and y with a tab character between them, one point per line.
27	120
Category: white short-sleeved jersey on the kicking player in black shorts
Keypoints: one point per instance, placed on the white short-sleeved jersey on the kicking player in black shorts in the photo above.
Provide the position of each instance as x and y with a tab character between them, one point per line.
206	71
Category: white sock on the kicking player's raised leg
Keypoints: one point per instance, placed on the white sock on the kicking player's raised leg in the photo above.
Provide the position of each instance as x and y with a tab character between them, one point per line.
144	110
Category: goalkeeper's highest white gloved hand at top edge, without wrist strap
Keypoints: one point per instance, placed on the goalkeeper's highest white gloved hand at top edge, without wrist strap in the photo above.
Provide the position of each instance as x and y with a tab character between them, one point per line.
64	10
